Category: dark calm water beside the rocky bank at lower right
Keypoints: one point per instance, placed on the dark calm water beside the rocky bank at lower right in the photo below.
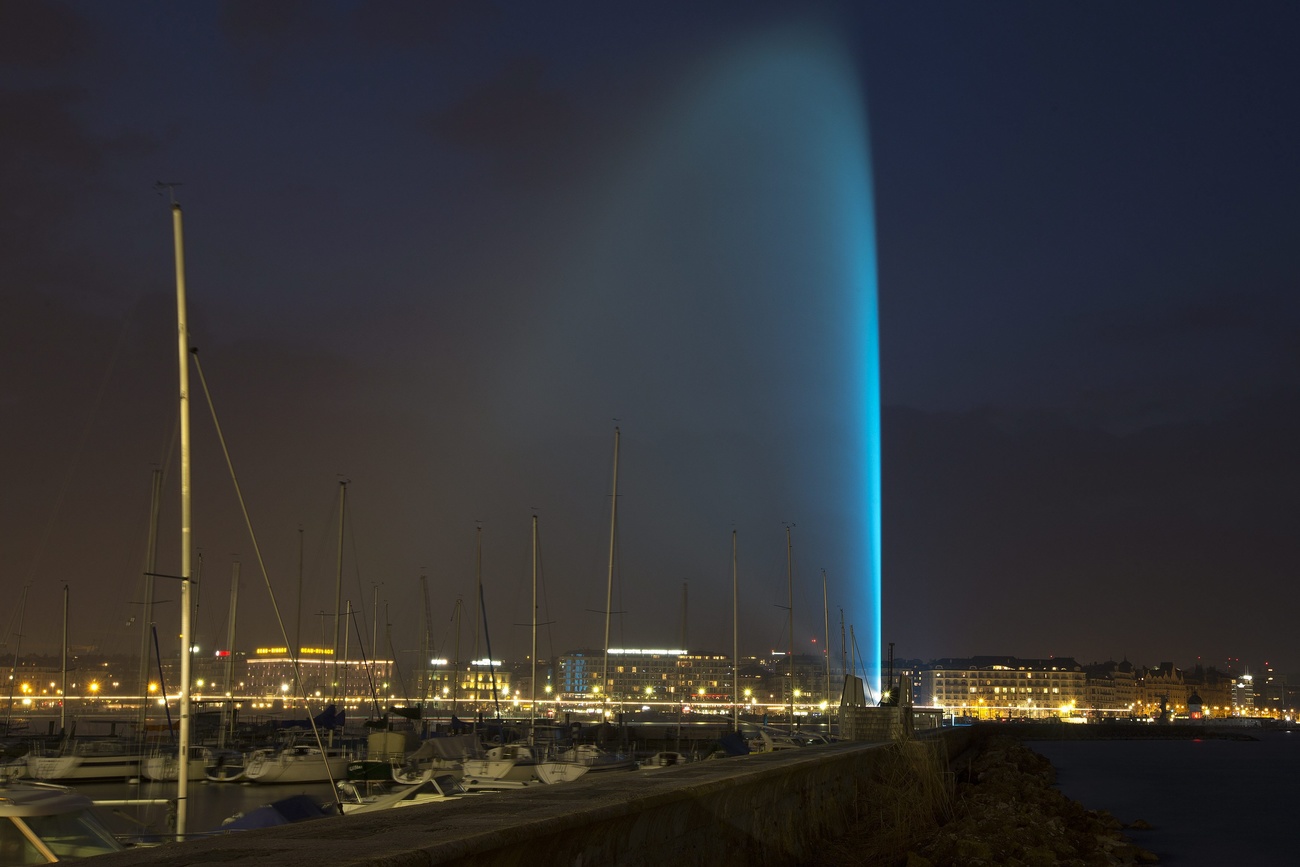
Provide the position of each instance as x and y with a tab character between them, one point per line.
1211	803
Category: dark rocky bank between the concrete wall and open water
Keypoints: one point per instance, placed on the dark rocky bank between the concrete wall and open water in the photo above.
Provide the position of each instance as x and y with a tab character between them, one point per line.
998	805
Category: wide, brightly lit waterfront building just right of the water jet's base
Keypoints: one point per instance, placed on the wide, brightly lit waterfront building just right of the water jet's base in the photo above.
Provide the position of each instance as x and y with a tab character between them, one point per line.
1004	687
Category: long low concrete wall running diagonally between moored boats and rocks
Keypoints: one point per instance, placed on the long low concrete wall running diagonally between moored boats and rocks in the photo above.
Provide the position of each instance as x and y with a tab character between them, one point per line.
772	809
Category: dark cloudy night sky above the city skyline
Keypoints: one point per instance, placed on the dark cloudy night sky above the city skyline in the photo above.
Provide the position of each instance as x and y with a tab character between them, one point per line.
439	249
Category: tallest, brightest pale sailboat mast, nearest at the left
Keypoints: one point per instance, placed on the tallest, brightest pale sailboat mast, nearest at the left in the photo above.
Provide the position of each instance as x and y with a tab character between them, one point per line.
187	524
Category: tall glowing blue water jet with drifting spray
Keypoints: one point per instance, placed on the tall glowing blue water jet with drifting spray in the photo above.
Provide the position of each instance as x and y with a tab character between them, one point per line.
727	291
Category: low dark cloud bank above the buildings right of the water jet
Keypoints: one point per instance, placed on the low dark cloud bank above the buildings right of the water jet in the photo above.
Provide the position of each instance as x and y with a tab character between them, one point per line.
1058	539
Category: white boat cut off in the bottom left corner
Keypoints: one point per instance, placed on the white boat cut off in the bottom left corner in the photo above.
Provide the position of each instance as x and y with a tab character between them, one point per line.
44	825
